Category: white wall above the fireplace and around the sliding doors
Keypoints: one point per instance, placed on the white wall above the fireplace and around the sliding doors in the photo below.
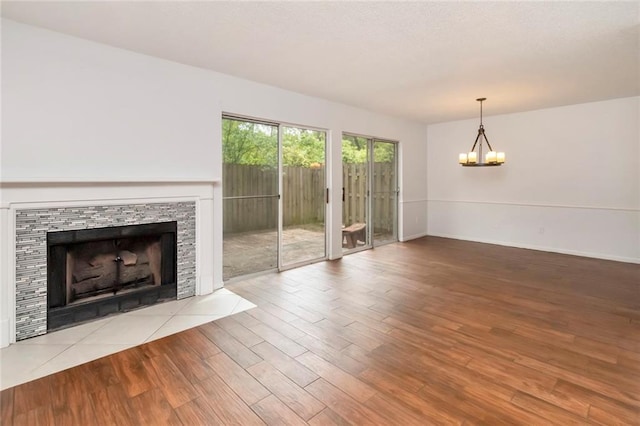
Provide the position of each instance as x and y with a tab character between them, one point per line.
74	110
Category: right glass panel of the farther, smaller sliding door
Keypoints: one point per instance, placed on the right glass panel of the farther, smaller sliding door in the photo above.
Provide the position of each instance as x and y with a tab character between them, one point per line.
385	192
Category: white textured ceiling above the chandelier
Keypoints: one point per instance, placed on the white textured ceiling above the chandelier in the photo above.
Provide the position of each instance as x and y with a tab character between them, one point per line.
426	61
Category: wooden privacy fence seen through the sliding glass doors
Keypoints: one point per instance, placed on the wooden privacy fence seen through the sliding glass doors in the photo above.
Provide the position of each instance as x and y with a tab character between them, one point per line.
303	191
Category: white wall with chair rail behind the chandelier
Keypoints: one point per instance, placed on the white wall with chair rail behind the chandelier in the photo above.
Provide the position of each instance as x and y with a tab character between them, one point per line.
571	182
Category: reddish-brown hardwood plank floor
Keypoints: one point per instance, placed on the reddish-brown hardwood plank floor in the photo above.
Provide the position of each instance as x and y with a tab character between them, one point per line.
432	331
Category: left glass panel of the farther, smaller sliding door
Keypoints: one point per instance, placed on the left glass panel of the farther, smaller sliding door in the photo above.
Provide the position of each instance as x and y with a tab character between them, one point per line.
355	193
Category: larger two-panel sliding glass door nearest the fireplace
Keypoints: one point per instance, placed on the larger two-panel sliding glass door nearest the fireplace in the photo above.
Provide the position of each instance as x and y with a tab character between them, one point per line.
273	196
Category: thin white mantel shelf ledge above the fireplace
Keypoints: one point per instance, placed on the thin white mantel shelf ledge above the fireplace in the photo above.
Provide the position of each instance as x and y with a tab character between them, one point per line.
106	180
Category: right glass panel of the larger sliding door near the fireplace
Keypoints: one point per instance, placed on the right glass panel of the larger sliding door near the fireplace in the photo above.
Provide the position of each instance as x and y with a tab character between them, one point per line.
303	195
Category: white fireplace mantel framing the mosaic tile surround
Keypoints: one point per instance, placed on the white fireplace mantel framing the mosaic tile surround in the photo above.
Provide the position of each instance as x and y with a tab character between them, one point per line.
18	194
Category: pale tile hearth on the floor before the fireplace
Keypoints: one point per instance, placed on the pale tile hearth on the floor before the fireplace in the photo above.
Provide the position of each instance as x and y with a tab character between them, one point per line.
40	356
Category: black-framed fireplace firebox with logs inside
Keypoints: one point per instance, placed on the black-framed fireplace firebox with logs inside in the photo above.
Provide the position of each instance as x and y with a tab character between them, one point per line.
96	272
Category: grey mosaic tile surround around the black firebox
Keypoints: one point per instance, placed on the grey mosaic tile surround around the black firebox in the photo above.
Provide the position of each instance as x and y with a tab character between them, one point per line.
32	226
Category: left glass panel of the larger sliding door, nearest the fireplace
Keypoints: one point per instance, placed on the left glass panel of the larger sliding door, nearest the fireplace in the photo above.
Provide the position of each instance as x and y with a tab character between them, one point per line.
250	197
